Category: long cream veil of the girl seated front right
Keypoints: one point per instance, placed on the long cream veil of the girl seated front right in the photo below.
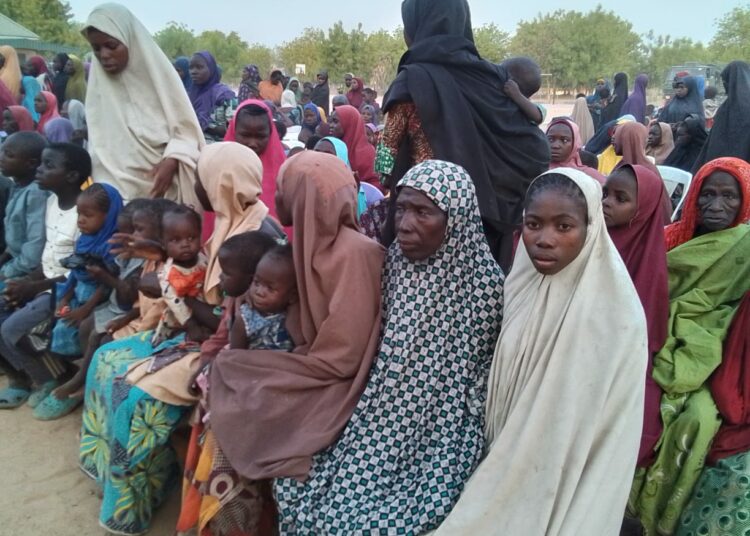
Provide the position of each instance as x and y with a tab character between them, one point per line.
565	404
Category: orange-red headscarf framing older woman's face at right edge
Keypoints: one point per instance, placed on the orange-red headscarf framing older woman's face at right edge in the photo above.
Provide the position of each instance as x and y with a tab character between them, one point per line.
684	230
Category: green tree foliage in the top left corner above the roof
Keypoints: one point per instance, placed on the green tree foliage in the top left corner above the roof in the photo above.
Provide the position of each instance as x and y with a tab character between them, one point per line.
51	20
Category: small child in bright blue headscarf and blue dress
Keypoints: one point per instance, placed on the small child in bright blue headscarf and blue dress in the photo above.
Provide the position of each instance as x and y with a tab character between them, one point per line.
99	207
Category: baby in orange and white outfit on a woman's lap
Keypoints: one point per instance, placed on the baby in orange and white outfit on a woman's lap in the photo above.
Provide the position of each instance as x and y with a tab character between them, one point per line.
182	275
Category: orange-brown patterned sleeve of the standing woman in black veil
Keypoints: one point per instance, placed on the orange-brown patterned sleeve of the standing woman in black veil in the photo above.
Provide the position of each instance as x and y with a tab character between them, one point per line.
402	121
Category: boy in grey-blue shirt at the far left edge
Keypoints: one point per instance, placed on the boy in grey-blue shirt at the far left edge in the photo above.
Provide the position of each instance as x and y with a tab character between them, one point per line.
20	156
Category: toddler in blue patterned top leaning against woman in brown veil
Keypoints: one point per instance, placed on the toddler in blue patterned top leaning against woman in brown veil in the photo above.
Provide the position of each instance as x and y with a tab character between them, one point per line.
262	321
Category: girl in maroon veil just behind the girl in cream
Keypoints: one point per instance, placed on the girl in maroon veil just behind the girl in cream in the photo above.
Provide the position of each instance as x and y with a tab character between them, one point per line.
633	203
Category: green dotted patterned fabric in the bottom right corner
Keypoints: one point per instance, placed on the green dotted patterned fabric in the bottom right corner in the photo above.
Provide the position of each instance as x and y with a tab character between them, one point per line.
719	506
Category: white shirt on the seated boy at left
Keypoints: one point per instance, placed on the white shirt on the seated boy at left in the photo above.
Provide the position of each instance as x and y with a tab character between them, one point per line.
61	228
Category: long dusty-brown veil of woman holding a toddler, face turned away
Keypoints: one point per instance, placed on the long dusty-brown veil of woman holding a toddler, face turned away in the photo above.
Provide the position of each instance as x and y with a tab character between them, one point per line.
272	410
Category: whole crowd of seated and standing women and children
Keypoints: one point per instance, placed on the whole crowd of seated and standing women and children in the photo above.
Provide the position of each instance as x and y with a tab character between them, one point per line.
410	316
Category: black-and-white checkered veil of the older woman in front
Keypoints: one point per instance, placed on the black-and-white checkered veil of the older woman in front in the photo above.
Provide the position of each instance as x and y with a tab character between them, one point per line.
417	432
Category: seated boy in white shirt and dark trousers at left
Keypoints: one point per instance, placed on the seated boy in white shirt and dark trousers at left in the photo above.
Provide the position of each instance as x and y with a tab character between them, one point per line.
64	168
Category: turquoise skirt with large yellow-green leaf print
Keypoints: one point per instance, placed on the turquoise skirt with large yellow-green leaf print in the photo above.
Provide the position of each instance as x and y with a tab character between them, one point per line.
125	437
